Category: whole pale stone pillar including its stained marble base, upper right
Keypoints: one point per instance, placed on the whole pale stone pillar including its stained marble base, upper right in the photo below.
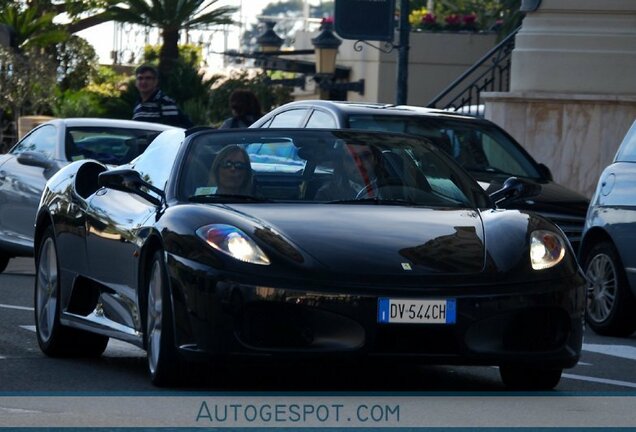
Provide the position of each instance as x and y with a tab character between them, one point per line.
572	88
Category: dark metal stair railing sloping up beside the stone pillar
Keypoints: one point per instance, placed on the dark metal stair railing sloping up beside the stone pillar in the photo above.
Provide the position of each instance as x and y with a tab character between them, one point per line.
490	73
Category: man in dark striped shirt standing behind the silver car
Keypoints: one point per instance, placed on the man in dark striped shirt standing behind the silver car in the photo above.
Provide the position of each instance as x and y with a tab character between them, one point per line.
153	105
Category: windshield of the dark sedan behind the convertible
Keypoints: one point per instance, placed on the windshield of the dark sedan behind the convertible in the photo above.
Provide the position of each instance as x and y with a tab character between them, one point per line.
478	147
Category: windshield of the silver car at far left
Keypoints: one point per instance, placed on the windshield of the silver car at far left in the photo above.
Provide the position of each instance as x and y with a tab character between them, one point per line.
109	145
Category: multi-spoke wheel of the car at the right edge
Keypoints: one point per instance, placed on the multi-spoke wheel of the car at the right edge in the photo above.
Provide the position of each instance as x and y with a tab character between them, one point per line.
610	303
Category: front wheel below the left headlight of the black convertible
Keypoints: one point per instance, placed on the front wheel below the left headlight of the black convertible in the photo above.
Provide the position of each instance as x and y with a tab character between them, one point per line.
164	362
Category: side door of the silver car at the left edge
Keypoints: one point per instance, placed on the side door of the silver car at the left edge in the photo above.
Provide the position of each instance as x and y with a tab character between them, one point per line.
21	185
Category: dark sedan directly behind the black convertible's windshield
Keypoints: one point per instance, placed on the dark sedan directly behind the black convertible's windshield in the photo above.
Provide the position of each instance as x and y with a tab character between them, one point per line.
565	207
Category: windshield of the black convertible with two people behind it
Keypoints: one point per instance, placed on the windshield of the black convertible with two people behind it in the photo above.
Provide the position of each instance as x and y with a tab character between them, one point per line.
323	167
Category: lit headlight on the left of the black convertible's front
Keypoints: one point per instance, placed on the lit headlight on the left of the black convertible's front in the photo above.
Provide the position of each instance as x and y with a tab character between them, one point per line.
233	242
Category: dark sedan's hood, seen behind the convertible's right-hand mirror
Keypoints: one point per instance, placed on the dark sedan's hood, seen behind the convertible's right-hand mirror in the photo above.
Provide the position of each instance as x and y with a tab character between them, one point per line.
553	198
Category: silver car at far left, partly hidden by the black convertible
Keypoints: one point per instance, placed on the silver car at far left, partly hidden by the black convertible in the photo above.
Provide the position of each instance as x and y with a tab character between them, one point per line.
25	169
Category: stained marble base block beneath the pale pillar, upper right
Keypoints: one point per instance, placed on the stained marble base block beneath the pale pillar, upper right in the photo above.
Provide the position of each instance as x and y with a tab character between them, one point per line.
576	136
